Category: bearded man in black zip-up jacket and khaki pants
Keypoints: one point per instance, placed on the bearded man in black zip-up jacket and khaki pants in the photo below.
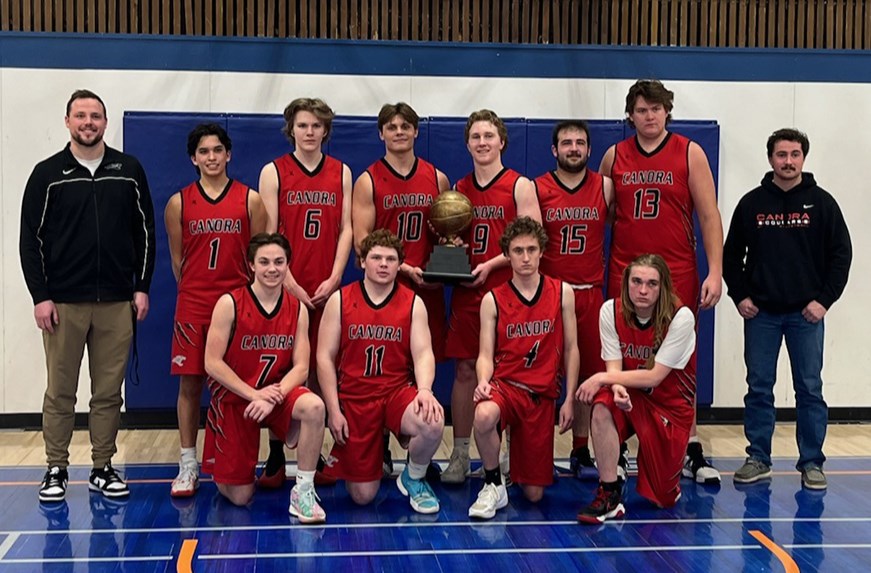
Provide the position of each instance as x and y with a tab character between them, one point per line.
87	251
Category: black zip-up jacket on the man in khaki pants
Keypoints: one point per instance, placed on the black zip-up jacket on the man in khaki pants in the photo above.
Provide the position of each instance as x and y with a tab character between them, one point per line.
87	238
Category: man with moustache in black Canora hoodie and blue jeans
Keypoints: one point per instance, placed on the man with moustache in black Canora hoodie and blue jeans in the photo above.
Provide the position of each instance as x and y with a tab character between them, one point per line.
786	261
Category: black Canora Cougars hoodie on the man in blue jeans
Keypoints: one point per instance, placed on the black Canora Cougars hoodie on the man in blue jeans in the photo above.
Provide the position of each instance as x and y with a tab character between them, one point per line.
787	248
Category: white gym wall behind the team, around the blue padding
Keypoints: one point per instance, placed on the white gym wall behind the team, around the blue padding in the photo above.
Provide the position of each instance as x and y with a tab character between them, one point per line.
31	124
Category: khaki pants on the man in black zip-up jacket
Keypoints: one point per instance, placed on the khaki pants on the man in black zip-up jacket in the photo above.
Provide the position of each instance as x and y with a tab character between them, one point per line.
106	329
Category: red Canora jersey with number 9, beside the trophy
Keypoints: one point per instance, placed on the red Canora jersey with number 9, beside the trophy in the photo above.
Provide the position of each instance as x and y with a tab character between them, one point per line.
493	207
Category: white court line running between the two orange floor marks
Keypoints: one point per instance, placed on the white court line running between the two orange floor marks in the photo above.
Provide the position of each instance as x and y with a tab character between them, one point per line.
507	550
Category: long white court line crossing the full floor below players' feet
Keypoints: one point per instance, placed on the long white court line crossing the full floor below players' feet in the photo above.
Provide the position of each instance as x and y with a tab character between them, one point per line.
541	523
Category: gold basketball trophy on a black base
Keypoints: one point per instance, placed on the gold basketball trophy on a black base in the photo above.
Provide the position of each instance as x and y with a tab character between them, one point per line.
450	215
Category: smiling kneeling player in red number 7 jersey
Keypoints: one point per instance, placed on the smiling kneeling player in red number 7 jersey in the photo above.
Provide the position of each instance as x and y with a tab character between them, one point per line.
257	357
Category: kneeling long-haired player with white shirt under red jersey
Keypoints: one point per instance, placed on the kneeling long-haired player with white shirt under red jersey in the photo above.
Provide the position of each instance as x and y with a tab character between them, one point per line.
648	387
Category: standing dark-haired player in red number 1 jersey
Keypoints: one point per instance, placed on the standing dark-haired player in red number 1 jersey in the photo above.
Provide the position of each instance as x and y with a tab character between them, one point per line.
209	224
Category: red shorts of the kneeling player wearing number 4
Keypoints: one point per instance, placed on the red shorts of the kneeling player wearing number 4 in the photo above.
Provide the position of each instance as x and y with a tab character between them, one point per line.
532	430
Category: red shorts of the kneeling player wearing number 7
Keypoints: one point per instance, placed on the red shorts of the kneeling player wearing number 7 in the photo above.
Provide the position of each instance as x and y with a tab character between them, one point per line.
233	442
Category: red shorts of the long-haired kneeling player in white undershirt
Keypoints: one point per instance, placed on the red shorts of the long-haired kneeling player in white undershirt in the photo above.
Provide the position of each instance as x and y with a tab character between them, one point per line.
662	444
